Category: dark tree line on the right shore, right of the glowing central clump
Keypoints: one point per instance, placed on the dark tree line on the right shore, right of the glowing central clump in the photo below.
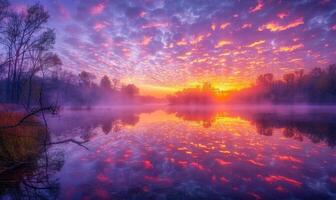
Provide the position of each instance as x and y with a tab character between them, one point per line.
316	87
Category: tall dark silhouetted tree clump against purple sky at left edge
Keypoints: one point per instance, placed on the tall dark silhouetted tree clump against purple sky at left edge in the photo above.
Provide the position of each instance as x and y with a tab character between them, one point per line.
26	49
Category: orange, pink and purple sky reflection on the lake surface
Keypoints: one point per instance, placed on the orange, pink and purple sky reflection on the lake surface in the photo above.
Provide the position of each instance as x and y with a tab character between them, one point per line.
176	150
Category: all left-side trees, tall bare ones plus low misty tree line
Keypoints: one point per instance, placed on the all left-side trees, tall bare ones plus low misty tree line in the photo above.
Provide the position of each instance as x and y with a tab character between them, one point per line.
31	72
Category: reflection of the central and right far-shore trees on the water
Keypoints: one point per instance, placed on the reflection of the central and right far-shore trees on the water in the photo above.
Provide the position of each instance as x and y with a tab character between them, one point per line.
315	124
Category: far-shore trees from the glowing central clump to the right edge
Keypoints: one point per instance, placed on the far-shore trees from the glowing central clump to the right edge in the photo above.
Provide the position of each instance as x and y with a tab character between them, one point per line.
318	86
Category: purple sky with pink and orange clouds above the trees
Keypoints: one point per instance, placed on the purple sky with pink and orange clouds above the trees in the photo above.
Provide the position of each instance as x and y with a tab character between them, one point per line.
165	45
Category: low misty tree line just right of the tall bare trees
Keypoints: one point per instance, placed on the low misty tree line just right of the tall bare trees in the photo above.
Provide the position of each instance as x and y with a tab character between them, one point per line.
85	90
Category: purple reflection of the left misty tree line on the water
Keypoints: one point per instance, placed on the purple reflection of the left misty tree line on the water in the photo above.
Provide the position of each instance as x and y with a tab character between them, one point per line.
84	123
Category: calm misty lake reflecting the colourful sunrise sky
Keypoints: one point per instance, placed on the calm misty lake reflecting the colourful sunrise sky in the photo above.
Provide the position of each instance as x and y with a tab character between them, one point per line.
189	153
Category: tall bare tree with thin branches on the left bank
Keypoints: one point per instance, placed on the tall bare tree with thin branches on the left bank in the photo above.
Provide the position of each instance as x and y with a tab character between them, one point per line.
26	42
